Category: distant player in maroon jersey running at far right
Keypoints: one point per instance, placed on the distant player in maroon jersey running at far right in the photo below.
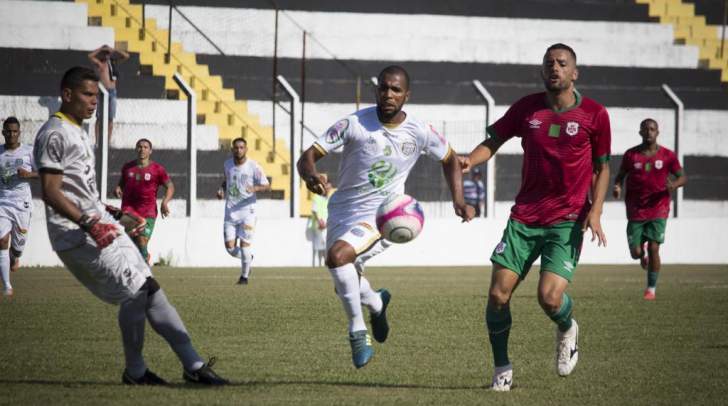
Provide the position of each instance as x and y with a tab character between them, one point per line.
648	167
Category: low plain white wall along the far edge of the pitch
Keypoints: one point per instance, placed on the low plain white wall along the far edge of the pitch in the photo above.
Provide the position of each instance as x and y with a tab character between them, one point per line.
443	242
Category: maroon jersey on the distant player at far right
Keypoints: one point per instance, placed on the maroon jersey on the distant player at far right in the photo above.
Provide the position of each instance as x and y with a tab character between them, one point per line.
646	194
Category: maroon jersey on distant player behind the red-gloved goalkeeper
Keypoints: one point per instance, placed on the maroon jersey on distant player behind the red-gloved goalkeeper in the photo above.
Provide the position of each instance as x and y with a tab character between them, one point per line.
140	186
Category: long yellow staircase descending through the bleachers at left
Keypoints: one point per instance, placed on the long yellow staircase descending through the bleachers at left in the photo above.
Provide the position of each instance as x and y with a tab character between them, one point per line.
226	113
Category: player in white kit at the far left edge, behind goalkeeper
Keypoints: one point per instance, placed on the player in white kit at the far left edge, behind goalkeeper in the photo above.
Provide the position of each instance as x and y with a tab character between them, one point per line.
16	203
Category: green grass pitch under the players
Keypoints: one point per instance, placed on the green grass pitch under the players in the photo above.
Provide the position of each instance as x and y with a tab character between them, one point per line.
282	340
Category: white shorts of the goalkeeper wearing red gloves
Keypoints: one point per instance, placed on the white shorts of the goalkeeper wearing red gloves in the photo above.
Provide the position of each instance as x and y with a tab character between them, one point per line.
114	274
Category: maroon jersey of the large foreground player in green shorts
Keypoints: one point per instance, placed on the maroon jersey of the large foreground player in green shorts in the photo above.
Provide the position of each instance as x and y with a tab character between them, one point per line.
560	150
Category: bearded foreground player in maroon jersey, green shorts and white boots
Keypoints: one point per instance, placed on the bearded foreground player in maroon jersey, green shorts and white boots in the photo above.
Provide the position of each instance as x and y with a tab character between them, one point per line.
566	140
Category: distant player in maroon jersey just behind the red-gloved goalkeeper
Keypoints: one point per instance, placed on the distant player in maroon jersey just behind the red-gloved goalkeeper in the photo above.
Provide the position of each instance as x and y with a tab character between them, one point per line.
138	186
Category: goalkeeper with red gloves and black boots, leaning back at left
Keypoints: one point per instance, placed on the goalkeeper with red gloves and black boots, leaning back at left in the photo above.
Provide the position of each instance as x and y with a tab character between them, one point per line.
91	243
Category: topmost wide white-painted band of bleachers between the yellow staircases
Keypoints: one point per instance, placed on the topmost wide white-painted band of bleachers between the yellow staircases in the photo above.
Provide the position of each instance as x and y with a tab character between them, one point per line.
427	37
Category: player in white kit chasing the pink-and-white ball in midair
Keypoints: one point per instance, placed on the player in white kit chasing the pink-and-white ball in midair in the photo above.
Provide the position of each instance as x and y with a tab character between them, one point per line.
380	147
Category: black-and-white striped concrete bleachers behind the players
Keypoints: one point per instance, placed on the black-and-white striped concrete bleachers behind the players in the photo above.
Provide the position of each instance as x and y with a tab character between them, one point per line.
624	55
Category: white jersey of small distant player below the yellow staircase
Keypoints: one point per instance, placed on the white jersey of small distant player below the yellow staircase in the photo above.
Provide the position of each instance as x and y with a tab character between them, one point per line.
238	178
